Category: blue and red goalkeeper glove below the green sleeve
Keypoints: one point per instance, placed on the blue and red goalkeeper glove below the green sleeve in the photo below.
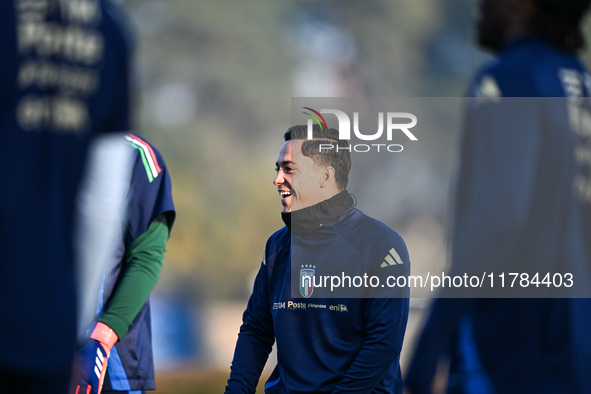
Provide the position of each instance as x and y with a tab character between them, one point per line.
90	364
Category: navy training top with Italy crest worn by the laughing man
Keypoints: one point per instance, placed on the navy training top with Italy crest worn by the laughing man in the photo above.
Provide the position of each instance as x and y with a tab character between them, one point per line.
326	344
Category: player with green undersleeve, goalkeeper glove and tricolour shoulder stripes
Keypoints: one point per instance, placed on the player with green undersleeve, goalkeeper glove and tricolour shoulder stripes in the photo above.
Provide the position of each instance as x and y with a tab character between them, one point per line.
122	334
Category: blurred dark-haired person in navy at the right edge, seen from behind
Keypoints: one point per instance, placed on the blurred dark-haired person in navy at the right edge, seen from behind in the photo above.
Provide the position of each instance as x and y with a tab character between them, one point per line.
522	205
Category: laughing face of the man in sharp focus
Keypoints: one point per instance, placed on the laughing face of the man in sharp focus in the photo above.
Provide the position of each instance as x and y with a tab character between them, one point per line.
298	178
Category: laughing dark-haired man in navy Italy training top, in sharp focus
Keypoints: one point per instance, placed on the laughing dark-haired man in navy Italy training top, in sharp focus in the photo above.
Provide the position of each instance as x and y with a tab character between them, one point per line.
324	344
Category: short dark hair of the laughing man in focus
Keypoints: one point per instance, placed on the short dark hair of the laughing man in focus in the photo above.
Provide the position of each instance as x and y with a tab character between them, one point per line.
338	158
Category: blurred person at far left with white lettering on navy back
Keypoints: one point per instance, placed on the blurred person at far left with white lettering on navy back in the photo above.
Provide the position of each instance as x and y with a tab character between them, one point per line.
64	80
